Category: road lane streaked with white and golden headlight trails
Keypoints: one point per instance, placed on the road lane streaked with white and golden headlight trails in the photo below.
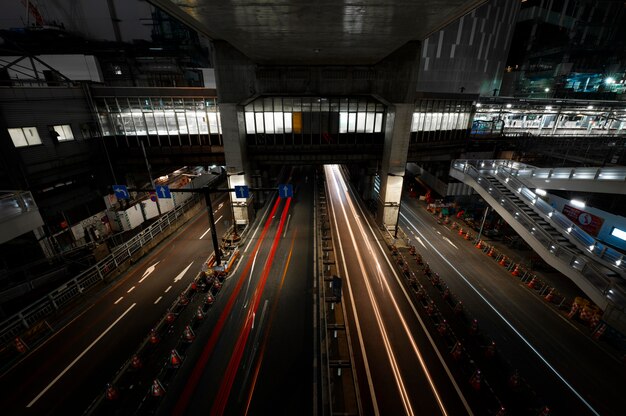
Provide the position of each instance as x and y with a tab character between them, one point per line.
399	368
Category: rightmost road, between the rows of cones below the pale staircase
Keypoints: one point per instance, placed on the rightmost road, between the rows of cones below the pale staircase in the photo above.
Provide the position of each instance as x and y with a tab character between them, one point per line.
568	370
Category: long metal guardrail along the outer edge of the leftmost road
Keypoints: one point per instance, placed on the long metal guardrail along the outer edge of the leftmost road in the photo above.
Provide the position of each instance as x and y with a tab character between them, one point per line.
61	296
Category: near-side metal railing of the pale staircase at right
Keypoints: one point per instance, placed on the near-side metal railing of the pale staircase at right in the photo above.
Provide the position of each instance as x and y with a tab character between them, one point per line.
582	264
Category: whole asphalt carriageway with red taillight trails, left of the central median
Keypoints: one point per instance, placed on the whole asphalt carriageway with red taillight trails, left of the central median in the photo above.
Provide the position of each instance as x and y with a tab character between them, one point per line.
255	356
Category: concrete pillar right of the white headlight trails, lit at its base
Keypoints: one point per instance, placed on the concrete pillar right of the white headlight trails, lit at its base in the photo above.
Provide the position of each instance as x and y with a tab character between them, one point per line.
397	134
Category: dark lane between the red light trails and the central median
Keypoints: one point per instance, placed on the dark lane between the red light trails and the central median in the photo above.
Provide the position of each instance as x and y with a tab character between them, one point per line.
278	377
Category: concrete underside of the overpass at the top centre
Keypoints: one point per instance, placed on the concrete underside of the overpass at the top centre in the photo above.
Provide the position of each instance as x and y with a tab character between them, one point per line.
324	32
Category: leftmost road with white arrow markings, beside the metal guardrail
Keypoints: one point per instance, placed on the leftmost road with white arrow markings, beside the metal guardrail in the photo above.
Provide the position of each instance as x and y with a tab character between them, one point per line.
65	373
